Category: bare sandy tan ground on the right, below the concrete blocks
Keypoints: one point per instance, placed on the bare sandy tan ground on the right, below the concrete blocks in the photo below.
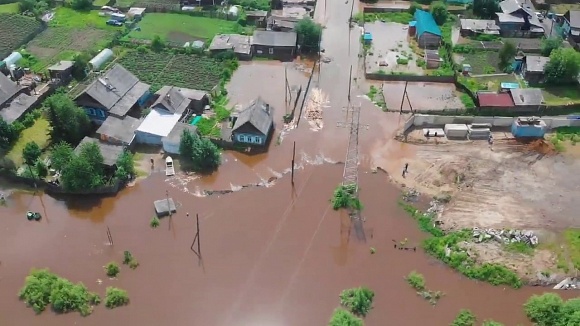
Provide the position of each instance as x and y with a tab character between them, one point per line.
511	185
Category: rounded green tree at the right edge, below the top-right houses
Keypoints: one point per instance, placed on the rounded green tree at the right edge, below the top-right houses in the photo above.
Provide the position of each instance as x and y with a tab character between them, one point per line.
564	66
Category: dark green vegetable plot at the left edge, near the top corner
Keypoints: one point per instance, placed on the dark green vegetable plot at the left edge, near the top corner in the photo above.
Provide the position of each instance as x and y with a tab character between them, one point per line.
16	30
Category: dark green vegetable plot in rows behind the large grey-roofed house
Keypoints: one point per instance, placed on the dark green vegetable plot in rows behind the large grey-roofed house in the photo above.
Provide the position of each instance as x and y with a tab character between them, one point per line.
181	70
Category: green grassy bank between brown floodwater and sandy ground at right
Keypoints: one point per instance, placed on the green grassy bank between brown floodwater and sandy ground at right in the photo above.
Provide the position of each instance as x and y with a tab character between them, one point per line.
445	247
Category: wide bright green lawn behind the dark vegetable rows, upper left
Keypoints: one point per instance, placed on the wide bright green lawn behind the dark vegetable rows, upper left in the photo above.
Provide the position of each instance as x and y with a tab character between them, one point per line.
176	26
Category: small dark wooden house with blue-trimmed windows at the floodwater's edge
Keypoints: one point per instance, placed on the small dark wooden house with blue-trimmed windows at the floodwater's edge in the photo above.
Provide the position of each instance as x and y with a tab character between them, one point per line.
254	124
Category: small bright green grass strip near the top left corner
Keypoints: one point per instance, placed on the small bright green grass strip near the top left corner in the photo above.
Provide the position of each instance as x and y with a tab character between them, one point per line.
67	17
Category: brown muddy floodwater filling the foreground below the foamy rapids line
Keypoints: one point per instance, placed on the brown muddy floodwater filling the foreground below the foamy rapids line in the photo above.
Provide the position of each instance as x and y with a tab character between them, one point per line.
271	256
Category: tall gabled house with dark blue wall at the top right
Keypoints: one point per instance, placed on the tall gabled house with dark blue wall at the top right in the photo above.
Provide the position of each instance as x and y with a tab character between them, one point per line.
516	20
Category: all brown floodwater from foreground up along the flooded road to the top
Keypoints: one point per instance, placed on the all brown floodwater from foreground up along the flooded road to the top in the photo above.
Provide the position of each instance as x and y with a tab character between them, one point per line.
271	256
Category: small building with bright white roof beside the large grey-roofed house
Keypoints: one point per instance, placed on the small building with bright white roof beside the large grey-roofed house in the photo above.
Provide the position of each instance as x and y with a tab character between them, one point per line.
157	124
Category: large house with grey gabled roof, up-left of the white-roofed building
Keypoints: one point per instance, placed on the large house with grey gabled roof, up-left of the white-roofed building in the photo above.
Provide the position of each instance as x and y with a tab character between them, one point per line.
115	93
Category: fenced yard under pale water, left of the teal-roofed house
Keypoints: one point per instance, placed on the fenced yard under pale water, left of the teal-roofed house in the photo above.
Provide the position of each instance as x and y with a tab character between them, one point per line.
392	53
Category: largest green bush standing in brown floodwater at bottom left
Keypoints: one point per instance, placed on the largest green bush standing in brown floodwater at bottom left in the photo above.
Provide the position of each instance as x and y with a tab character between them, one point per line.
43	287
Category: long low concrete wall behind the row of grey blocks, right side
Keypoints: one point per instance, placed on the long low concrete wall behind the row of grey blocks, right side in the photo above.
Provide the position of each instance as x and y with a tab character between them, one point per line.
420	120
